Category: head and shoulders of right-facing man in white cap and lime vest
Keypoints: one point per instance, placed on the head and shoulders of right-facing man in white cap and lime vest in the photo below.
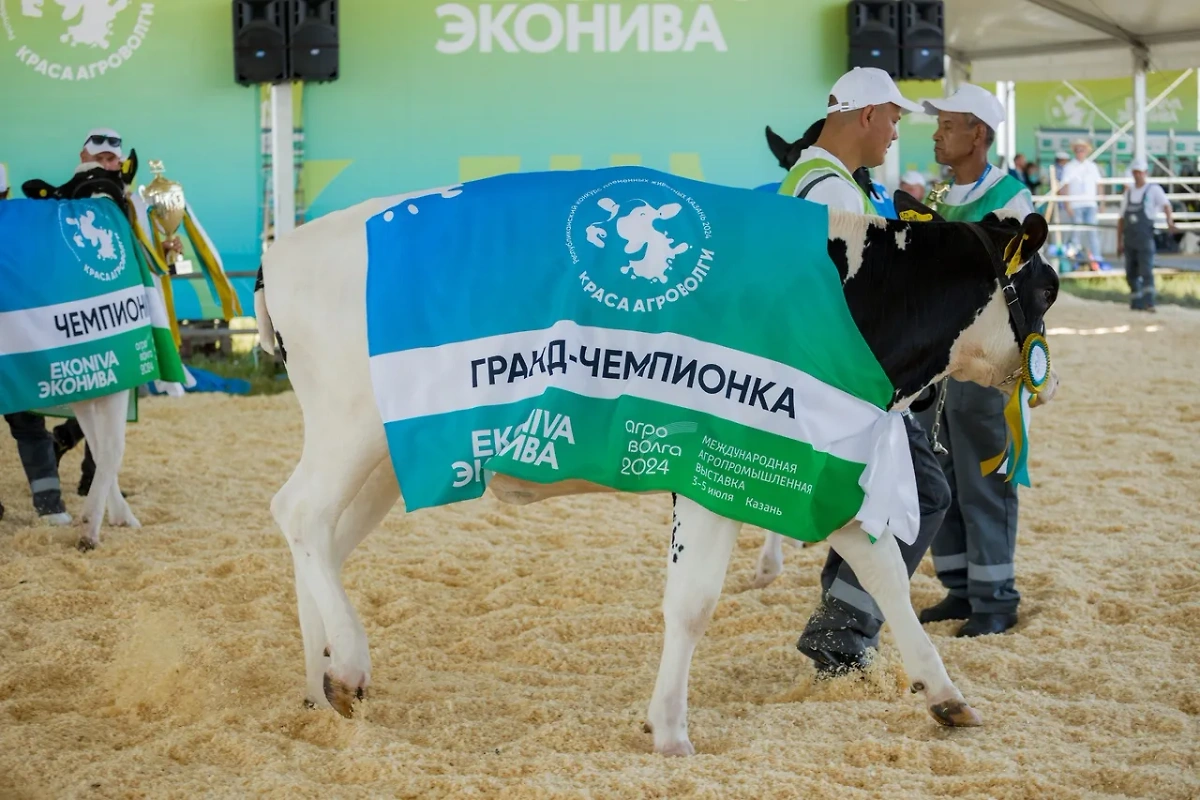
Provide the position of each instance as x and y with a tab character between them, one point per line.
860	127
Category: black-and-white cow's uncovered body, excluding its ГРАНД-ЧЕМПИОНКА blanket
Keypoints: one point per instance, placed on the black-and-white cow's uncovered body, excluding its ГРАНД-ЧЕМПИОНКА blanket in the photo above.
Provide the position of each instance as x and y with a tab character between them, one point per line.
926	296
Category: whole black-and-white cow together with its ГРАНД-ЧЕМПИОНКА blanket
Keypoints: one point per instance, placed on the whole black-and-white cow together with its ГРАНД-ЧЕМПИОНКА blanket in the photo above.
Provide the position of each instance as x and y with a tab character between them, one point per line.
625	330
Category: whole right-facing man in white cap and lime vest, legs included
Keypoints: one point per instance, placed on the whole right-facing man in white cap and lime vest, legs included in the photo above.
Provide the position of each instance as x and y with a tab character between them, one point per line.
860	127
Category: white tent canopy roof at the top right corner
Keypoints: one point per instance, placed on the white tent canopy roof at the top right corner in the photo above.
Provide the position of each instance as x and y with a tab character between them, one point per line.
1052	40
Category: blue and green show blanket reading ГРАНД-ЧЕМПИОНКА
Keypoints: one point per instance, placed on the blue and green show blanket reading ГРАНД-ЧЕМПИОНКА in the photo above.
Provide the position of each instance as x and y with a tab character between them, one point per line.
638	330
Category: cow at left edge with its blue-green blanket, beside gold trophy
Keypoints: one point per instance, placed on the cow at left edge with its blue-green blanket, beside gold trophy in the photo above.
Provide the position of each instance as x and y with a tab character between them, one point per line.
82	322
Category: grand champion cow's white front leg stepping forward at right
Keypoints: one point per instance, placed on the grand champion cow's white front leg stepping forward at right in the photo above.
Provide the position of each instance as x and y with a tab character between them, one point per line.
880	569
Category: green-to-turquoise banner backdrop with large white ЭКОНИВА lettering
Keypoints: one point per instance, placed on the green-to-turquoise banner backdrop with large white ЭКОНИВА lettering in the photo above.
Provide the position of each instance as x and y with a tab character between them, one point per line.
434	93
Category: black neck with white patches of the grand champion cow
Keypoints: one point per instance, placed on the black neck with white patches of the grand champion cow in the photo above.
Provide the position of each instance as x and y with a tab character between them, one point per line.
913	291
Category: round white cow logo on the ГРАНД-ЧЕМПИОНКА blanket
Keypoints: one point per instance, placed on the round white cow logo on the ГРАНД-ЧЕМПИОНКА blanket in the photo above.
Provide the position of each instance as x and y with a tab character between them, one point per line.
646	244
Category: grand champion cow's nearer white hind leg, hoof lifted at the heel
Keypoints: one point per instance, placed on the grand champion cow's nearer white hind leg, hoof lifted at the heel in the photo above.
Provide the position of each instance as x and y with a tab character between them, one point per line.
340	453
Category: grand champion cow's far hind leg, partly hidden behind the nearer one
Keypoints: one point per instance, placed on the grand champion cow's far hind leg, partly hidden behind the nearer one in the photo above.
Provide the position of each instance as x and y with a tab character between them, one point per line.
365	513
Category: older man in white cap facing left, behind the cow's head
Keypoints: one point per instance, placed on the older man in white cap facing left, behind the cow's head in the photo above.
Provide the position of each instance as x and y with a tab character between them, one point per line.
975	550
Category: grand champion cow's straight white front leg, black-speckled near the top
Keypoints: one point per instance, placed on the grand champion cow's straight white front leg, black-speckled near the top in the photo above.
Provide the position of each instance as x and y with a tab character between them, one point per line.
701	544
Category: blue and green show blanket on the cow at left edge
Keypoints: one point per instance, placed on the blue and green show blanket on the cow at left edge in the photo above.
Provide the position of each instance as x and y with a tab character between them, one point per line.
80	316
